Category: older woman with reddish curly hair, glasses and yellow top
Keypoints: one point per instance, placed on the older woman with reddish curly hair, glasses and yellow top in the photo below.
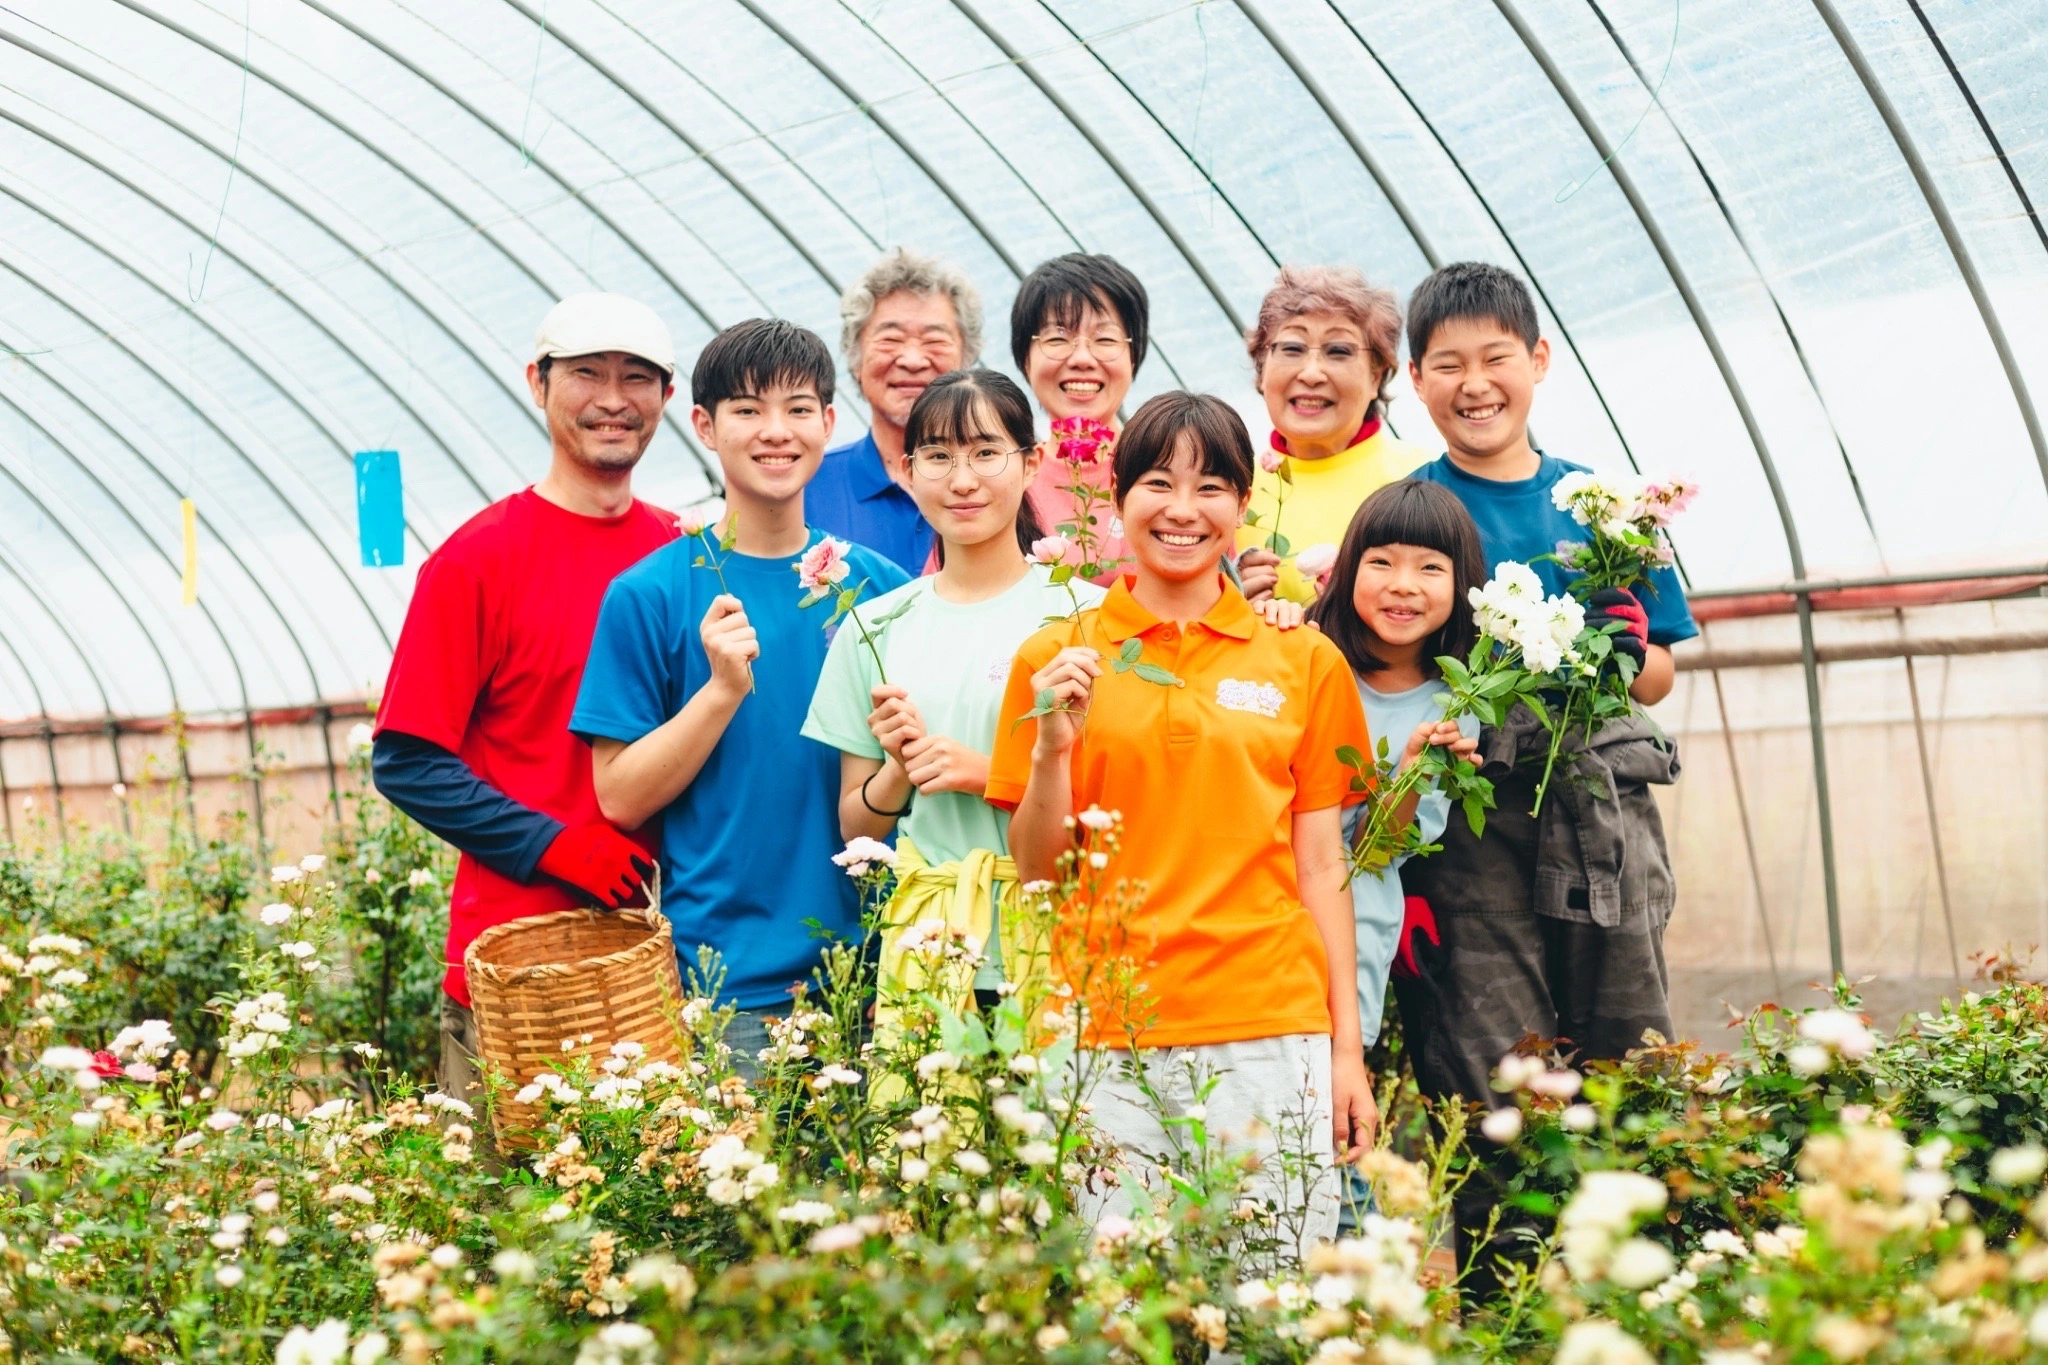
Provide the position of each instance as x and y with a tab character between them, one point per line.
1324	351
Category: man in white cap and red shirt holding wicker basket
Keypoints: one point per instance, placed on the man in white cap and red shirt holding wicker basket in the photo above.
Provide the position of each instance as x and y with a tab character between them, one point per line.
474	730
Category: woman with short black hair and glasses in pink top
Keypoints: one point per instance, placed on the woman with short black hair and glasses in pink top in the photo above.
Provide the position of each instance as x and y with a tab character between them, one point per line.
1078	333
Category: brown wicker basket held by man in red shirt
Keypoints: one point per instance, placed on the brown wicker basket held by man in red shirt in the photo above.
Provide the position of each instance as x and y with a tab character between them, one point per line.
534	983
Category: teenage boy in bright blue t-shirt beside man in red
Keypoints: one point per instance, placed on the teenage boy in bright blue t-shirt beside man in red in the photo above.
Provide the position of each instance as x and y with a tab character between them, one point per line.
699	678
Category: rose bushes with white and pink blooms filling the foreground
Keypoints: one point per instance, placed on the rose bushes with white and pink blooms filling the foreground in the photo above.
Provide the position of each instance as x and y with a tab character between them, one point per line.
263	1176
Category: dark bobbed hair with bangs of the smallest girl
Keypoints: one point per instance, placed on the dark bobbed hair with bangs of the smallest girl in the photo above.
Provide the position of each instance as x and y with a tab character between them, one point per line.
1406	513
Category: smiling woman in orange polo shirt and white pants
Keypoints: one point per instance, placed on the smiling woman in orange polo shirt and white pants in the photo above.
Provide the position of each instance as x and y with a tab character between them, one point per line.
1224	762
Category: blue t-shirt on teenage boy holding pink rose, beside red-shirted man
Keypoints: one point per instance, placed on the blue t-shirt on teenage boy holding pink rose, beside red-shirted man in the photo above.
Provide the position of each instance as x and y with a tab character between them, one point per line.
746	850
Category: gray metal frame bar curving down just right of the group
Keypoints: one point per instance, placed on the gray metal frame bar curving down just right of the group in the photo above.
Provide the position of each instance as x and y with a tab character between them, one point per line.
1750	425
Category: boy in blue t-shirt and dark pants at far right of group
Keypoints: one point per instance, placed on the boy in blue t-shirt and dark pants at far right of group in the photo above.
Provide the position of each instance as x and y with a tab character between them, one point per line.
1506	928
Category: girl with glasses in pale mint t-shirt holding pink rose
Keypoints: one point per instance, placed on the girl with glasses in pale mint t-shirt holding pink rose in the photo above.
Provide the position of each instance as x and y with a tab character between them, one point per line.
914	750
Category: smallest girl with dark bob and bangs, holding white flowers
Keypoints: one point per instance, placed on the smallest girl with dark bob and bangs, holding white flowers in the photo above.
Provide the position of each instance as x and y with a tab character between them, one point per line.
1394	605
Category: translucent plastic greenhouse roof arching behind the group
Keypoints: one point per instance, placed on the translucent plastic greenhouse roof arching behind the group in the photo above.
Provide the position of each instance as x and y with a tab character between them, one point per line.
239	245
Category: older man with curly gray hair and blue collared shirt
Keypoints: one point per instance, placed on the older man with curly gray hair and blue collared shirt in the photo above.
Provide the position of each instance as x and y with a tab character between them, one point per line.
904	324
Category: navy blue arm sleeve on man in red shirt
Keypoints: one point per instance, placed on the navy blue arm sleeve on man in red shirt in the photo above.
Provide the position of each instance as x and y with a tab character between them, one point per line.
439	791
